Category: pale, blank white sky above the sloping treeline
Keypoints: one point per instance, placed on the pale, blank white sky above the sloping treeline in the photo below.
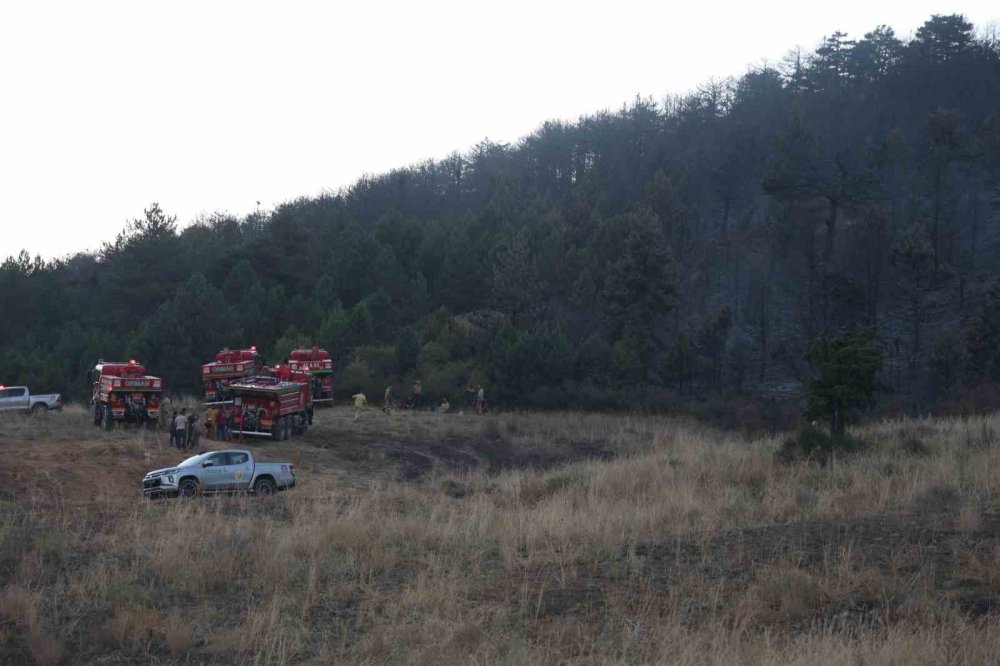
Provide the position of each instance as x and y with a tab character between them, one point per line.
215	105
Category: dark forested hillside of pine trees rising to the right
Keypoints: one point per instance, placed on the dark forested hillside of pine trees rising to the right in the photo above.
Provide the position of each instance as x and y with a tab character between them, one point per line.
659	253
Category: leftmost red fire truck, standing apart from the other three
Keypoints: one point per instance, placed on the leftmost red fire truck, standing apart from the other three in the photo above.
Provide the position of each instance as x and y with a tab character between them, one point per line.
124	392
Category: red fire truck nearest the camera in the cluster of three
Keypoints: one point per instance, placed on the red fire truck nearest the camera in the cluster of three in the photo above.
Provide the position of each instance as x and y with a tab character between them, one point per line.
272	406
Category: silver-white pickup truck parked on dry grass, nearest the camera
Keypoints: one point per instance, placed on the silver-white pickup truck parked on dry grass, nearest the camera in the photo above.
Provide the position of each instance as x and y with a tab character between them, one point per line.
217	472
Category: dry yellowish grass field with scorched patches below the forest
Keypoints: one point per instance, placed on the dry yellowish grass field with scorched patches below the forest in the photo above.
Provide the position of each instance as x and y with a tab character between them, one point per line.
517	538
